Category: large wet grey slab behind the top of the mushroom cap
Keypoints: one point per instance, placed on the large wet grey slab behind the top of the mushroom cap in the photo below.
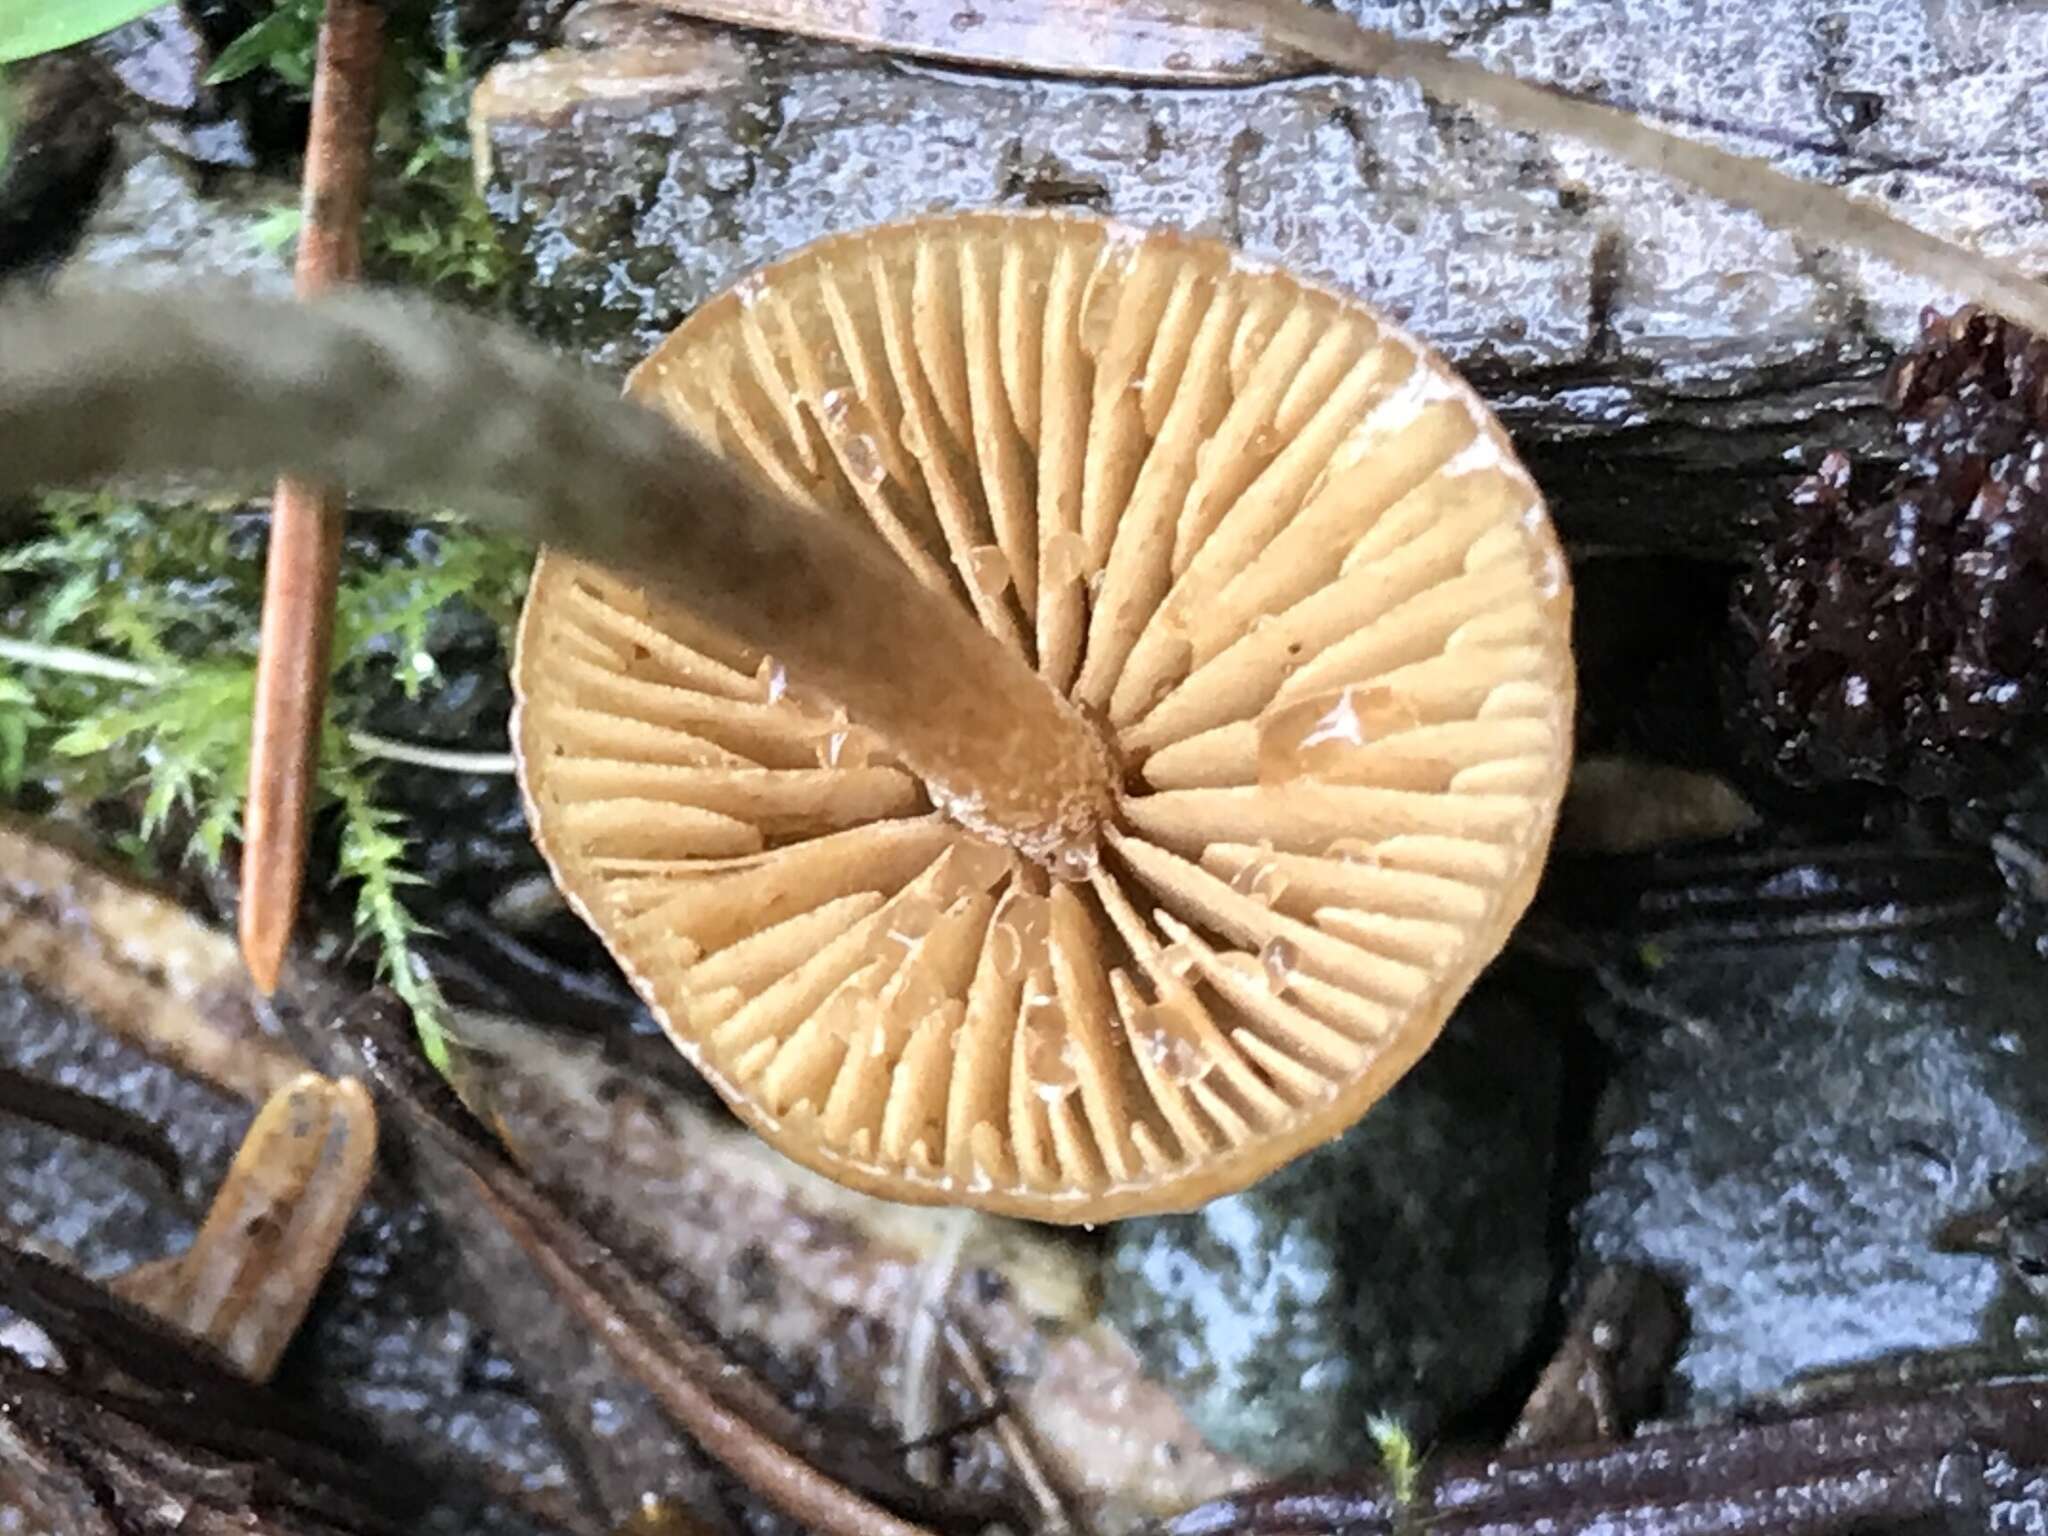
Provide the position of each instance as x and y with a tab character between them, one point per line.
1631	329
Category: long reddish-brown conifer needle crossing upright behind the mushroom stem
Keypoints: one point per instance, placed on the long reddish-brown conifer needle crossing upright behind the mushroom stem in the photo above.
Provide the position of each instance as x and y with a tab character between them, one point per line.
306	521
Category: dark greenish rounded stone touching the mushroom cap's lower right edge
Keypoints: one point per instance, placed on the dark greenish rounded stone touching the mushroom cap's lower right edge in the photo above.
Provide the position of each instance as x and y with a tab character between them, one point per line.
1400	1271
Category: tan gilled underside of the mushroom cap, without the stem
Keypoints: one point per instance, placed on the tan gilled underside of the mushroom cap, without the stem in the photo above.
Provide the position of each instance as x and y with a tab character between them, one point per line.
1269	544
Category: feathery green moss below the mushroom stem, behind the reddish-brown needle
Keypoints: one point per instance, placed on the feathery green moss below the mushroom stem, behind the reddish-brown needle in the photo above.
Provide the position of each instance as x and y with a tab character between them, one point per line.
128	652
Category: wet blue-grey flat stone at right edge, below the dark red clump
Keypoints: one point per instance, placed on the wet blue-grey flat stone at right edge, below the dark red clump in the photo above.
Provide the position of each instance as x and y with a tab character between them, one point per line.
1787	1144
